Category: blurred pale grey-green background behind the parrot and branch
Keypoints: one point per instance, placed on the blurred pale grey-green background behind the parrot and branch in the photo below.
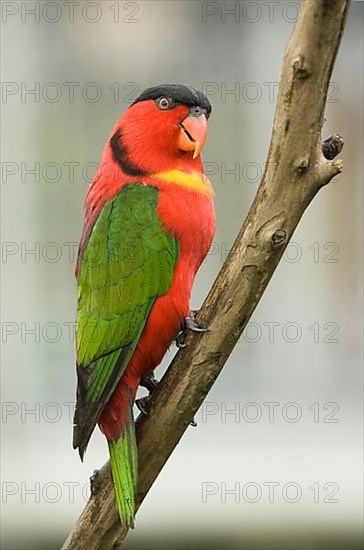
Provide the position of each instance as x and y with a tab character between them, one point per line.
276	459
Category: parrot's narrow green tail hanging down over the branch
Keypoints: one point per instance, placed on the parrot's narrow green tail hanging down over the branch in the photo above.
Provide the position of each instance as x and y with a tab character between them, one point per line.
124	468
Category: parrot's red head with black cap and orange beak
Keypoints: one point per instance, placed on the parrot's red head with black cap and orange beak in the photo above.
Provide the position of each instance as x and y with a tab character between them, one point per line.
164	128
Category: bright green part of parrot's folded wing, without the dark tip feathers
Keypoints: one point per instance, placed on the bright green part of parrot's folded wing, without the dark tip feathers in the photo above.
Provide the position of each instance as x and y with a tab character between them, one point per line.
124	267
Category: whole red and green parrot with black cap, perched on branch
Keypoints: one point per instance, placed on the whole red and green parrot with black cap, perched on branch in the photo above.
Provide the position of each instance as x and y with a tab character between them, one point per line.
149	222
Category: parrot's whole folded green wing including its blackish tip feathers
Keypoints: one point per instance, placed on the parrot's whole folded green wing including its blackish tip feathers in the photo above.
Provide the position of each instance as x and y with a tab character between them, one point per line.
129	260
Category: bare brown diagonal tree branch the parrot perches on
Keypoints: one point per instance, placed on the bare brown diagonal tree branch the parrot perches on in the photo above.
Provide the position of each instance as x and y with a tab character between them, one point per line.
298	166
